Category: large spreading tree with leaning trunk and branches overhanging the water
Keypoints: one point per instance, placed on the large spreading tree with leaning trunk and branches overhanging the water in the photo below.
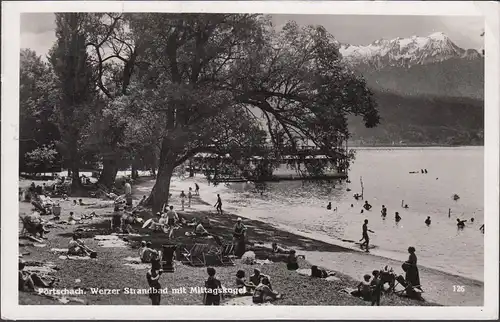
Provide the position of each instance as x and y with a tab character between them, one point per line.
207	77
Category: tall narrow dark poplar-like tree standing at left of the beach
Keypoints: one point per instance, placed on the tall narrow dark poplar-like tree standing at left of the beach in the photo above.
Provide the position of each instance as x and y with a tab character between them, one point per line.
76	85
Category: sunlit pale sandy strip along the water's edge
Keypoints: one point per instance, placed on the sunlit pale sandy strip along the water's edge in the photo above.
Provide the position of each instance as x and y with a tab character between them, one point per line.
352	262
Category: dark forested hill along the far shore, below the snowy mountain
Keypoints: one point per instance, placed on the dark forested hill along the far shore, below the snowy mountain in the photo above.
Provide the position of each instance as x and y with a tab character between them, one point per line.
423	120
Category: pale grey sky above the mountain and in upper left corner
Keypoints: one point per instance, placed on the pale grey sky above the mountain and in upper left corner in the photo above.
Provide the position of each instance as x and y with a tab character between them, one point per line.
37	29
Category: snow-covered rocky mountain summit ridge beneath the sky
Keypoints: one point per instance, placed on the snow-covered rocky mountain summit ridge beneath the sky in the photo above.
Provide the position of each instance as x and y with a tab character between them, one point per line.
406	52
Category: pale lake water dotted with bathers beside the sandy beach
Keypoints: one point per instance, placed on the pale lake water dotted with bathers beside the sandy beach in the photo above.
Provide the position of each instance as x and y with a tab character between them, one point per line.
301	205
